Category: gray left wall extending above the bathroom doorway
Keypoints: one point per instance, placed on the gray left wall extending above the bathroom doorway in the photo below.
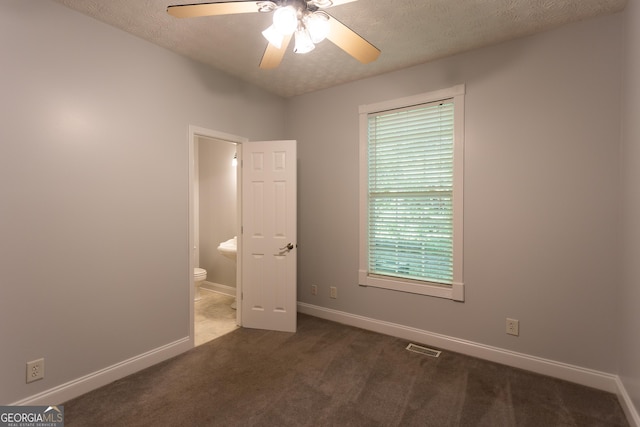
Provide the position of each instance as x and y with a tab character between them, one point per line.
94	189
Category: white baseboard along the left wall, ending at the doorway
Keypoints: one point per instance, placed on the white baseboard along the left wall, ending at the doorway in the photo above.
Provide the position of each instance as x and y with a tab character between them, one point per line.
79	386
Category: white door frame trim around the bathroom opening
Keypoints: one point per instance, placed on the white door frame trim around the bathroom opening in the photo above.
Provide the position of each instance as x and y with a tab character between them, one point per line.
194	133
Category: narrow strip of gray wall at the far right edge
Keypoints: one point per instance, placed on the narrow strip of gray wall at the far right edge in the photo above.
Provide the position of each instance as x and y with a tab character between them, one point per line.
629	349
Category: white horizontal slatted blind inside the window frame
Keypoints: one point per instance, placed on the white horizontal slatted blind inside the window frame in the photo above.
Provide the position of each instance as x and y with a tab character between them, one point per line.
410	192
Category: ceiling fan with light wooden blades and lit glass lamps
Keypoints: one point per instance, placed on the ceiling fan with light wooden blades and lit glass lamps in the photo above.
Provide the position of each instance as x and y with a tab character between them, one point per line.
305	19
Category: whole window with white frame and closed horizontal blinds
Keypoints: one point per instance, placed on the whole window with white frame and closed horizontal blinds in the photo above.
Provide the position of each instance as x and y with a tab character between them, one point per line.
411	157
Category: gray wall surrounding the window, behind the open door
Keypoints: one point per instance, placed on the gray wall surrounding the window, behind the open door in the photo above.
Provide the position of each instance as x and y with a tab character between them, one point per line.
541	201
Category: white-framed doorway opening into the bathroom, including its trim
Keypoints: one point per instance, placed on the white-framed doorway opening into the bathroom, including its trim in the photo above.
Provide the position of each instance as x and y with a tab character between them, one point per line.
213	219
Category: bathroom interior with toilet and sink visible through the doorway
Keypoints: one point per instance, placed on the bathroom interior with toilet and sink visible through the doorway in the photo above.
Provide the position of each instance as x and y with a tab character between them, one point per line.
215	228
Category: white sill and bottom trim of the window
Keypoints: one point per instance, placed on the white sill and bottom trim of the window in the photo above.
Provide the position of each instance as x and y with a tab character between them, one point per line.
454	292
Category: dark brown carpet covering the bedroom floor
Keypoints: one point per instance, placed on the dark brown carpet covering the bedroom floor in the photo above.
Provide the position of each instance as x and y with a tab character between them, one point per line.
328	374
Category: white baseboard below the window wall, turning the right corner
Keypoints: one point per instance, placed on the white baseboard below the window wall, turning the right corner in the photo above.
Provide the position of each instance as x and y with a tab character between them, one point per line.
576	374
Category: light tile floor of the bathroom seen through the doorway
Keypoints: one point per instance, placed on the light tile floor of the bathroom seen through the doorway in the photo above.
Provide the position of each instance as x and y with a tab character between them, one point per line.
213	316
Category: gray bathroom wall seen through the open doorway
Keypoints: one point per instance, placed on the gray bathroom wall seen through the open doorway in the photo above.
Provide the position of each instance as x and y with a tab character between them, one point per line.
218	208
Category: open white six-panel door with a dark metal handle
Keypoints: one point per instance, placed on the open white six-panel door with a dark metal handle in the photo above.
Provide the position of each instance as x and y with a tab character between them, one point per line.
269	236
